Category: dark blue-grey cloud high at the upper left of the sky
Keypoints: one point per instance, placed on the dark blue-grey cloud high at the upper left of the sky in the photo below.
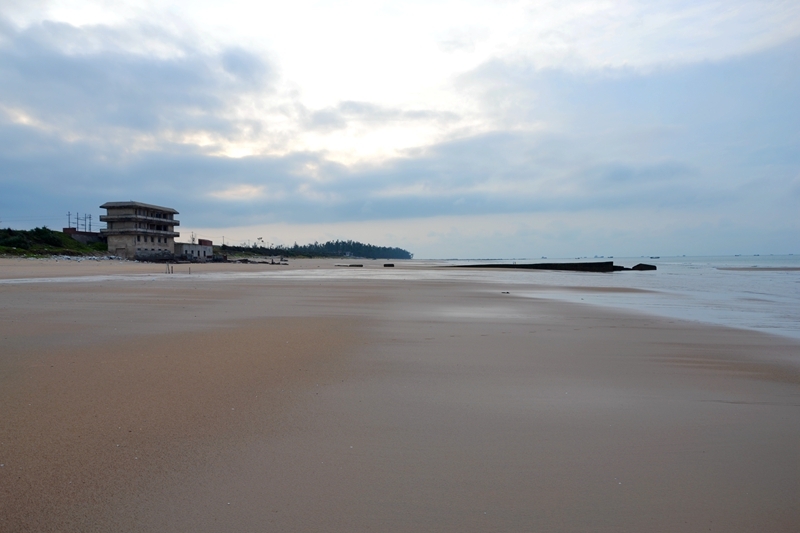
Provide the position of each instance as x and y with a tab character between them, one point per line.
99	88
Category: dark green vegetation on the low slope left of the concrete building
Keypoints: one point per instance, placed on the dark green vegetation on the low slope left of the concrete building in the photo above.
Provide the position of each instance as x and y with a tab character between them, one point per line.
44	241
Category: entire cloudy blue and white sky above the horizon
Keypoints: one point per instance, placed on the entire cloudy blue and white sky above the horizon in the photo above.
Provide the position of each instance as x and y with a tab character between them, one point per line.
469	129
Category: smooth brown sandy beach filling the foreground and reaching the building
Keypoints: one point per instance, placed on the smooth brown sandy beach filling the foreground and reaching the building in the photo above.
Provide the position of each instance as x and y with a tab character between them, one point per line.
165	403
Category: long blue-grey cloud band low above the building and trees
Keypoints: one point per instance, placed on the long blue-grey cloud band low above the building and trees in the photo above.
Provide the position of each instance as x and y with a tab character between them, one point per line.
58	174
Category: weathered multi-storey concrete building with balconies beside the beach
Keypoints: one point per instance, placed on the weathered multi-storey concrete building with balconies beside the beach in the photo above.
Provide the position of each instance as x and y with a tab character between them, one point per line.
135	230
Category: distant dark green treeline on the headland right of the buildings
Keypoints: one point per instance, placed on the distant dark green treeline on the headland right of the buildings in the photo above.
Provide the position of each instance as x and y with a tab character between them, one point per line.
327	249
